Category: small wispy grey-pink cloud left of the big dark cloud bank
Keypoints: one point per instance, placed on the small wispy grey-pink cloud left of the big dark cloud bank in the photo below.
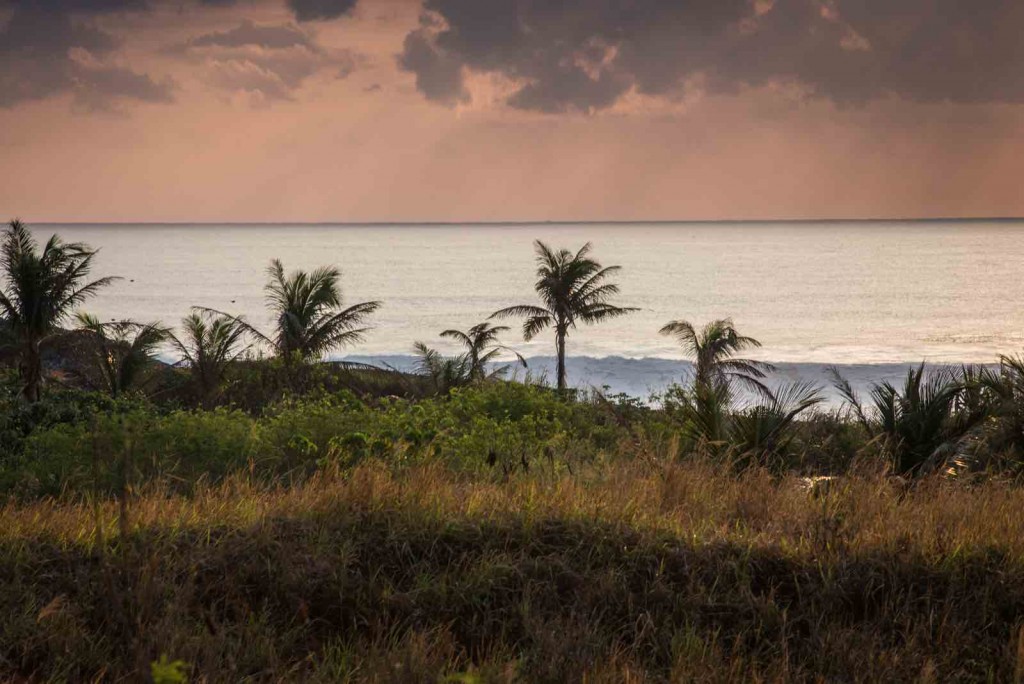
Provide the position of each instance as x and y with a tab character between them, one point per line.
271	62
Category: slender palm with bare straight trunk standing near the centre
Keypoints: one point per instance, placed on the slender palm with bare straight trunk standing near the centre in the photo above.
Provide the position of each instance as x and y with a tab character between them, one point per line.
573	288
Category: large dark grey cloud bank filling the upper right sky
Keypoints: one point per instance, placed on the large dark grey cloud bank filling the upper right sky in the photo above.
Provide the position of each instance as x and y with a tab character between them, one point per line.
578	55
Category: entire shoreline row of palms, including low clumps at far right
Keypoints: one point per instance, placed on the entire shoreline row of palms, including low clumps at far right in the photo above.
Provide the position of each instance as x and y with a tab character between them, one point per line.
933	419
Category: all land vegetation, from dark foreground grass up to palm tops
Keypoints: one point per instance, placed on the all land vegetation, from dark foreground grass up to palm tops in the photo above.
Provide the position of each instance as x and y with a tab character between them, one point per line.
235	518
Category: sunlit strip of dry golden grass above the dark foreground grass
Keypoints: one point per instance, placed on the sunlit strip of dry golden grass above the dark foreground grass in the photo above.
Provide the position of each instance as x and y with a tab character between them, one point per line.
700	502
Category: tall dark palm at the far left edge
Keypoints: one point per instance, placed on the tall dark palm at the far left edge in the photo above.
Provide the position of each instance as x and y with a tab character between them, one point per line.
40	291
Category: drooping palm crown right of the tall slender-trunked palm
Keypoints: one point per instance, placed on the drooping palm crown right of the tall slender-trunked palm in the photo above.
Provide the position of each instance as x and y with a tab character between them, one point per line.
714	351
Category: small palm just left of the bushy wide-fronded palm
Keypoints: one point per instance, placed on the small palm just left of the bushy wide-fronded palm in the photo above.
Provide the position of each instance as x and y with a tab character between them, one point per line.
209	345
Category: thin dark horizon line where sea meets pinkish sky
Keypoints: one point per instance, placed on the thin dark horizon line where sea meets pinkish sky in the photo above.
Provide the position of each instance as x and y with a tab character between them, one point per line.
936	220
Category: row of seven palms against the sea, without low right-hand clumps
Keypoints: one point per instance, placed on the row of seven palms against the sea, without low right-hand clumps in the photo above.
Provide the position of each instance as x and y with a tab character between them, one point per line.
45	288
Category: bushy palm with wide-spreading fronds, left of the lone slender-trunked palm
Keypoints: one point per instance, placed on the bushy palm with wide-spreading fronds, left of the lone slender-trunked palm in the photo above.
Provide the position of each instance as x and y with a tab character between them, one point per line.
310	320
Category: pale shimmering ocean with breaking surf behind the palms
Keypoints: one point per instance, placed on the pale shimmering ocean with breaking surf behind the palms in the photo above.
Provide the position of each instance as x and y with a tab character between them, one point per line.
869	297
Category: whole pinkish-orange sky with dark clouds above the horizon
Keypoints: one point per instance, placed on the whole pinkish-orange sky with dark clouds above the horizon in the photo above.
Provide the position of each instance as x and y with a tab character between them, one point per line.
510	110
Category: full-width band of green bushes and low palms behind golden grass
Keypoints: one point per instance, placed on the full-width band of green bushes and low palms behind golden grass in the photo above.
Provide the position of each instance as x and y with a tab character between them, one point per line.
74	442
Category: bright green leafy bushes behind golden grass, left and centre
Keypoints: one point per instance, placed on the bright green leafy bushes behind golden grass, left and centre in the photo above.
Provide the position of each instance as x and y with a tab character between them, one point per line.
505	425
